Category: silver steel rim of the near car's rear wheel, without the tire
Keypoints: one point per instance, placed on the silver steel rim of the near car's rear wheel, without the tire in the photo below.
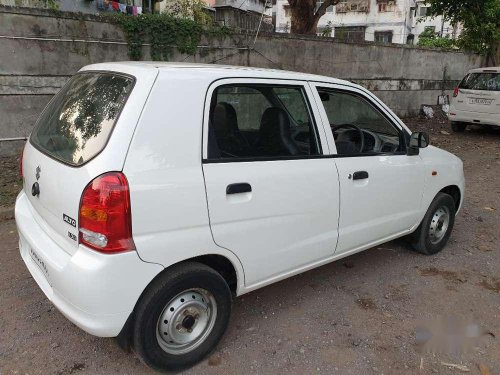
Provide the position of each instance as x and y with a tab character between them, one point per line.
186	321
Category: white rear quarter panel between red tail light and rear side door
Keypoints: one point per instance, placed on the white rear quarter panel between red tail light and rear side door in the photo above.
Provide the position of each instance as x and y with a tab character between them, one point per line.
170	221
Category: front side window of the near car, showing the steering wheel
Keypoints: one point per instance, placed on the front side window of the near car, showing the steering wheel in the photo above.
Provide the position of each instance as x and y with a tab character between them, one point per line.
357	126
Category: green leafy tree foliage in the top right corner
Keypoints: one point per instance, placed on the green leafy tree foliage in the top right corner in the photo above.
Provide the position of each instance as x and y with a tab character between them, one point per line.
481	23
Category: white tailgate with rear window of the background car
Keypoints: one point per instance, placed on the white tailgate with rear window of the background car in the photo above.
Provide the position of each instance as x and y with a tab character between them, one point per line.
479	92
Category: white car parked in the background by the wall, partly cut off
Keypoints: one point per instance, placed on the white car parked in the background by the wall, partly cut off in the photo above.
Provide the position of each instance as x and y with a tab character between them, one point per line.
476	100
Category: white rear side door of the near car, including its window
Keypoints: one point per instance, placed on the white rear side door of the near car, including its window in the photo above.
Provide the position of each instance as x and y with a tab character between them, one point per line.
273	198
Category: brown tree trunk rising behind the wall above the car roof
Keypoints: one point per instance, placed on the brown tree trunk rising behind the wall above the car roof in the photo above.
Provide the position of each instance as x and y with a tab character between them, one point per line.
306	15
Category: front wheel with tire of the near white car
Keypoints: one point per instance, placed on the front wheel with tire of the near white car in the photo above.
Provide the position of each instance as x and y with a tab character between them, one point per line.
435	229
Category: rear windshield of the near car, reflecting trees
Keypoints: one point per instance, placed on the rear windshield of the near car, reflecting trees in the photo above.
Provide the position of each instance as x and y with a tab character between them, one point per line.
78	121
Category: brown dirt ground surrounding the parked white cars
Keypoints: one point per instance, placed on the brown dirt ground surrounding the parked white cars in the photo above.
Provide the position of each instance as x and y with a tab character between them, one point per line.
355	316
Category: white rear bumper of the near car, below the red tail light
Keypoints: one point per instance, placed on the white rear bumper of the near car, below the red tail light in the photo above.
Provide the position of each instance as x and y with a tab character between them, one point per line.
95	291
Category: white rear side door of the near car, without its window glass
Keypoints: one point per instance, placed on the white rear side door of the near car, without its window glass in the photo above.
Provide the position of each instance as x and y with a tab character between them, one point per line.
277	215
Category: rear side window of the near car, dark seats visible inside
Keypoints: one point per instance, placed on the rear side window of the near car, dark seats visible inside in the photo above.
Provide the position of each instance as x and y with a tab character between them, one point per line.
260	121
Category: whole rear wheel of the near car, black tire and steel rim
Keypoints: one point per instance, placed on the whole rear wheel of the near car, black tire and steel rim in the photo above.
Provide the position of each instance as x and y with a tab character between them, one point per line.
181	294
